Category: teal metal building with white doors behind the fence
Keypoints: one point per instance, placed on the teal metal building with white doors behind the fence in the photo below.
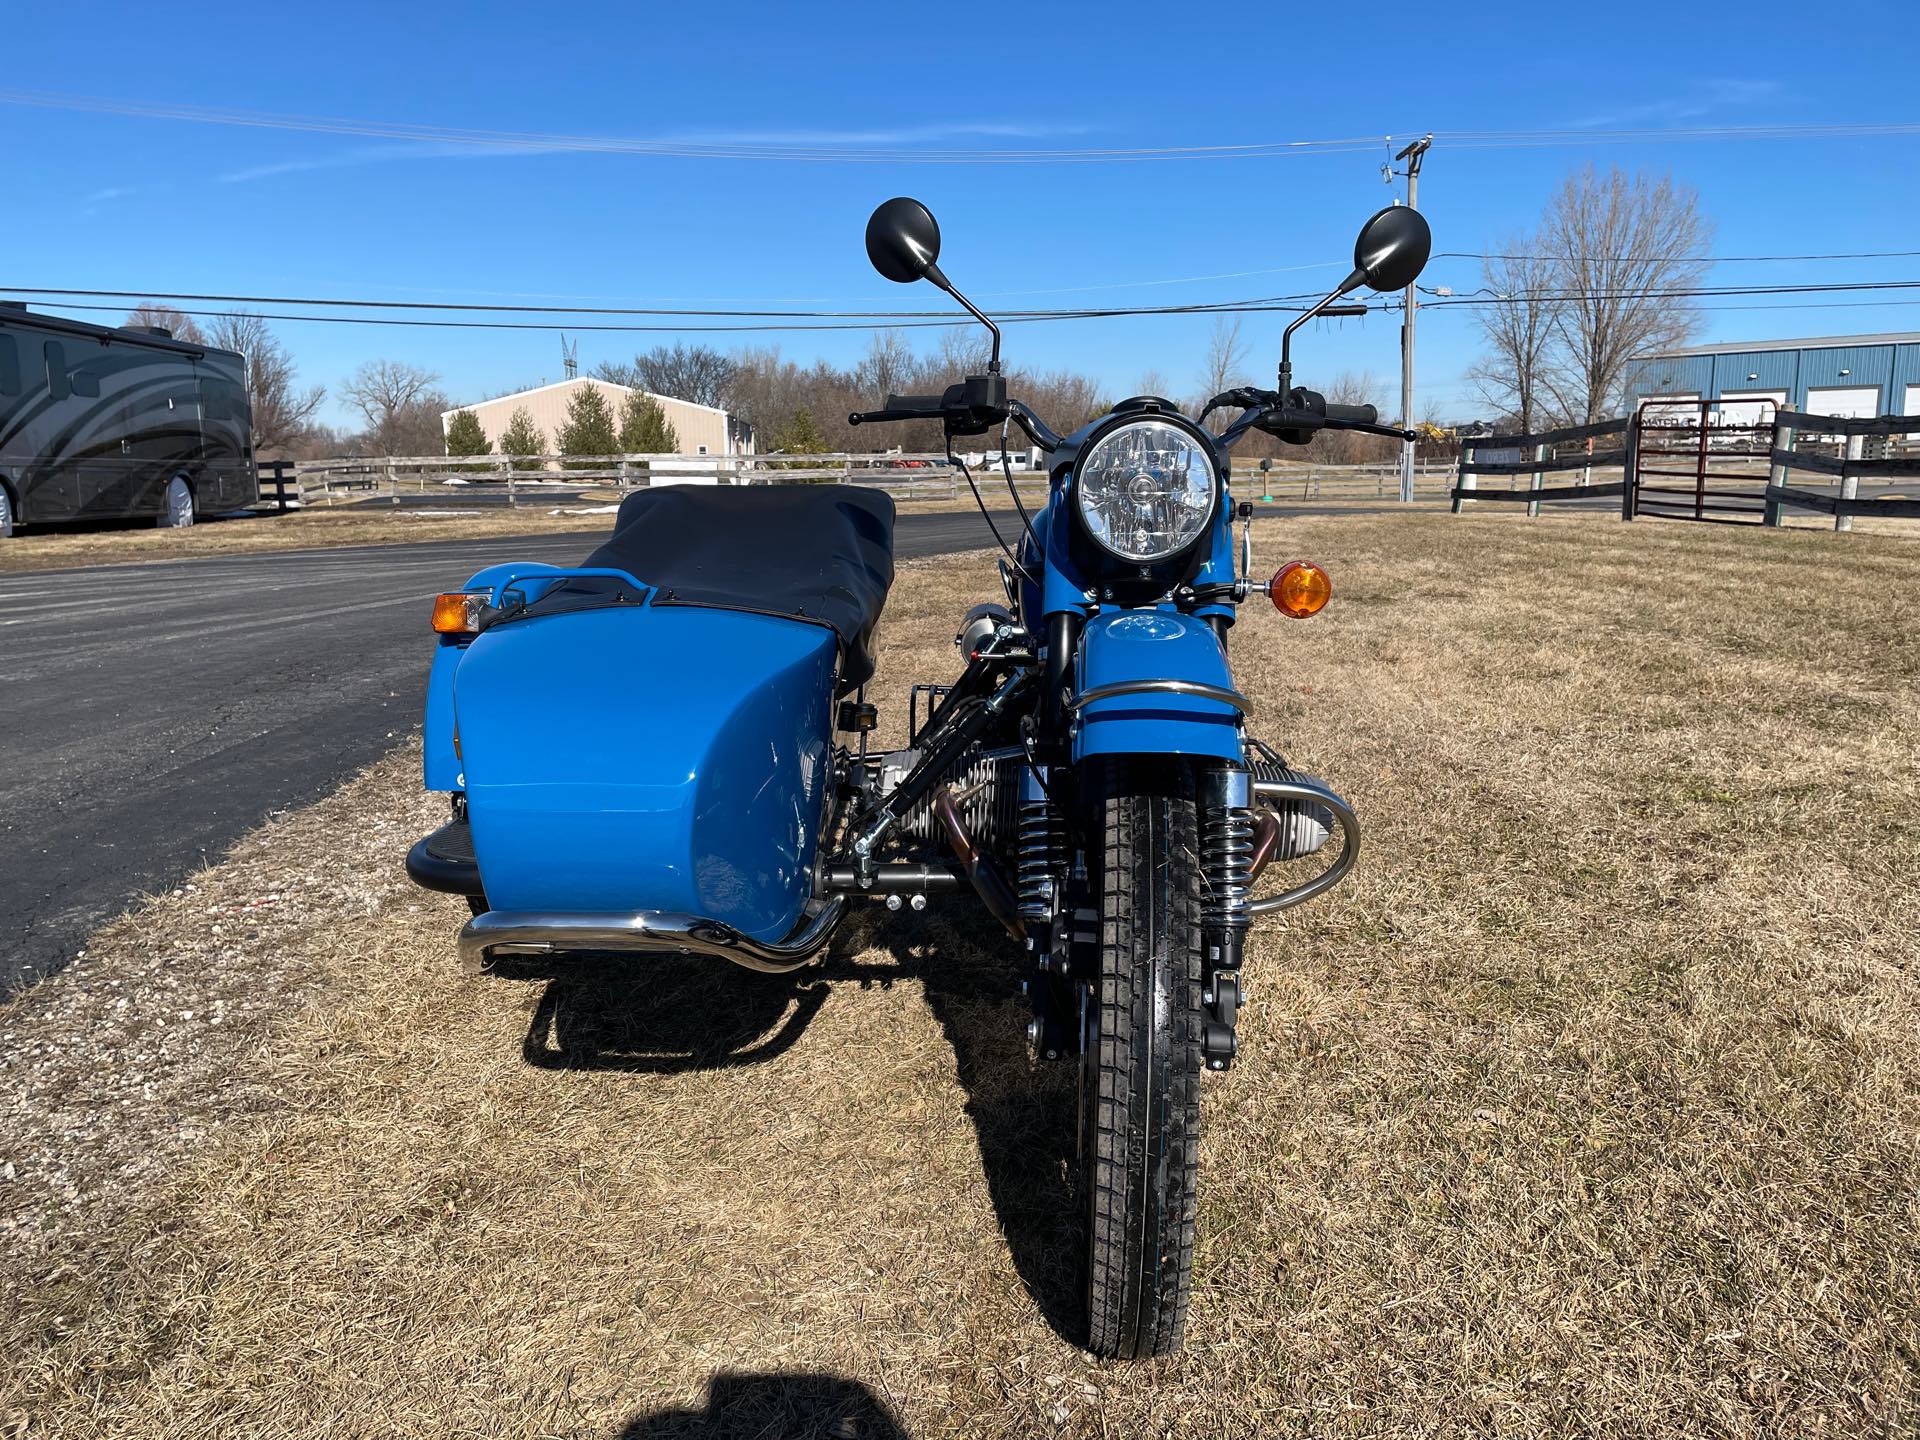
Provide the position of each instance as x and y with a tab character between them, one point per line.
1850	375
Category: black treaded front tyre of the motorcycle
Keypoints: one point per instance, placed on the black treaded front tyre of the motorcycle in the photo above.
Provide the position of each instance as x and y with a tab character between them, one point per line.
1141	1090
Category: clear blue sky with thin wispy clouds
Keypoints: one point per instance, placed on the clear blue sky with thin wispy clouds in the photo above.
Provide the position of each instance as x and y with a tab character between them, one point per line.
141	203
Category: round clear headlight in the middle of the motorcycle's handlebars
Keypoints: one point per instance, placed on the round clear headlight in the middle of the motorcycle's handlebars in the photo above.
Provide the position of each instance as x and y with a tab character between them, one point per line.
1145	491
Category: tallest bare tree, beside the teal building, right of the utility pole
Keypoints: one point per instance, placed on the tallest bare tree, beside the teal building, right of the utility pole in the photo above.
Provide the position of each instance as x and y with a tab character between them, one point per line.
1623	249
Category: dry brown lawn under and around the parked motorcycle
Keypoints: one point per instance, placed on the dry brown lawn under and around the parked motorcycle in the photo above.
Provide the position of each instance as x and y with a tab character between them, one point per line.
1587	1109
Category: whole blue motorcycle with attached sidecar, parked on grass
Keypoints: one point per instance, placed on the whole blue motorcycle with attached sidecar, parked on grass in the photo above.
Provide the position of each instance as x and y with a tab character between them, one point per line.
1090	777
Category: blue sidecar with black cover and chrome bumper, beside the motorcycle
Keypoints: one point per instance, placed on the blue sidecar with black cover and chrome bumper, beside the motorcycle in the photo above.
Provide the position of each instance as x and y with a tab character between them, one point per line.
640	752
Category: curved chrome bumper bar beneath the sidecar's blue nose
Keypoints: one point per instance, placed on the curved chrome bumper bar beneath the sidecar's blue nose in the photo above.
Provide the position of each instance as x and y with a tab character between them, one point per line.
640	932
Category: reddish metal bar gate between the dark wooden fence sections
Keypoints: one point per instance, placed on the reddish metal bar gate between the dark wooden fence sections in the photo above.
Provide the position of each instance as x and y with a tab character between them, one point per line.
1691	464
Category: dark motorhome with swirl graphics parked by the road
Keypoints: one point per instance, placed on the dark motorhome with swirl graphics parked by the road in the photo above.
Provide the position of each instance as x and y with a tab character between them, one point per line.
103	423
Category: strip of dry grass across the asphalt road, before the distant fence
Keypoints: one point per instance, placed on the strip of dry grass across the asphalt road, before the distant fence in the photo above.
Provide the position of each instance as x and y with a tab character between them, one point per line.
320	529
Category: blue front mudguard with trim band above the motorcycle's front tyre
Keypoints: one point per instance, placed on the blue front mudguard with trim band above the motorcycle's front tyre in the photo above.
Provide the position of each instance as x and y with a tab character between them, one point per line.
1143	646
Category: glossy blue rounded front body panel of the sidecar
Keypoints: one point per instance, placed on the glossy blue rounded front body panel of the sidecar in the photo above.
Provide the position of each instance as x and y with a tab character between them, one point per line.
650	757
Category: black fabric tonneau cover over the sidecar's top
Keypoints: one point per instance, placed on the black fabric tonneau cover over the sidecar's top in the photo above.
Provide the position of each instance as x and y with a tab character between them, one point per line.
819	554
